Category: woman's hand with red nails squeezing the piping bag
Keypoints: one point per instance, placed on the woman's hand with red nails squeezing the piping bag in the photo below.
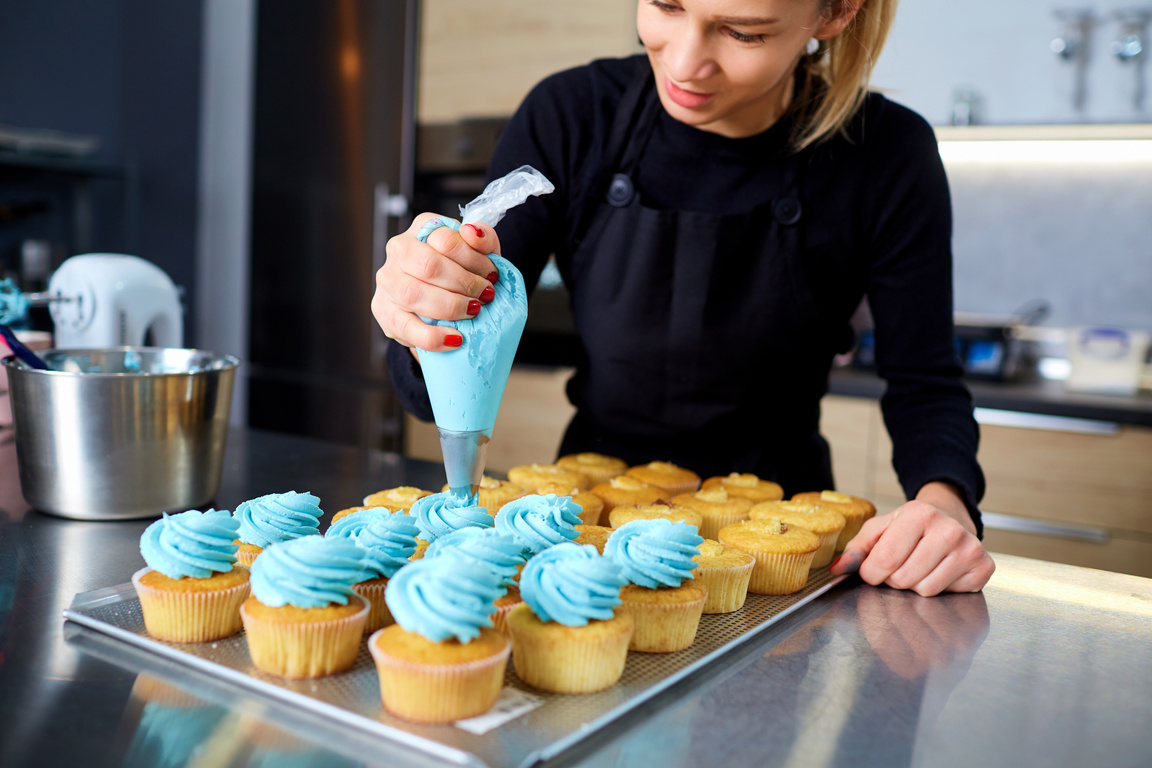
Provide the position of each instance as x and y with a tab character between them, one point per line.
449	278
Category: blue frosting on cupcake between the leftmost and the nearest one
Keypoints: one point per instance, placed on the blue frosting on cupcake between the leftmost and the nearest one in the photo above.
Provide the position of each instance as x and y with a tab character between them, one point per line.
308	573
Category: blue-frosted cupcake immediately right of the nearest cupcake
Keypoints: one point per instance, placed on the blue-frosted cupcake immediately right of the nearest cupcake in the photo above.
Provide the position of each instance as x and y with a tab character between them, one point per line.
566	637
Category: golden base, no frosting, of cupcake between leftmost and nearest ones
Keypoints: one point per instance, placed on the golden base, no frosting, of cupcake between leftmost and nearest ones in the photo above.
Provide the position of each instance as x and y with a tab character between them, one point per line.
305	649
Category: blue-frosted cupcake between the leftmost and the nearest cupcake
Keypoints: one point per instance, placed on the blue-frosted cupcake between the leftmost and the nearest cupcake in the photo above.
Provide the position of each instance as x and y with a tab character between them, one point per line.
305	619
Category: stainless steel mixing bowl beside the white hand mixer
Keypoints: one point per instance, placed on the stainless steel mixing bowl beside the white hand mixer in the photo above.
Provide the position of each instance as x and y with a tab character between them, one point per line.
122	434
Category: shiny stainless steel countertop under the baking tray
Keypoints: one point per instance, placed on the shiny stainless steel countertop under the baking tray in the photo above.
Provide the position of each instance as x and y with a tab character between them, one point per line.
1050	666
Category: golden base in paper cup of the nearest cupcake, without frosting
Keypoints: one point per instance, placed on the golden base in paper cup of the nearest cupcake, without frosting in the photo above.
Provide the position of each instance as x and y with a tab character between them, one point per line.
438	694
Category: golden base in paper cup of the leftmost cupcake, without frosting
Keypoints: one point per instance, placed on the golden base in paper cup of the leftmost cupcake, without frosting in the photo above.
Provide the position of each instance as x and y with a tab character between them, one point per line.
187	617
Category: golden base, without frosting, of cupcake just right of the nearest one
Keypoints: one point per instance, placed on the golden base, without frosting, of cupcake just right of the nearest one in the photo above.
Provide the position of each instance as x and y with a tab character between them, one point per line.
571	661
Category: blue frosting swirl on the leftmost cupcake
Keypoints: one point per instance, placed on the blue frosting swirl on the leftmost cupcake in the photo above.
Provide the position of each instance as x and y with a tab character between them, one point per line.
191	544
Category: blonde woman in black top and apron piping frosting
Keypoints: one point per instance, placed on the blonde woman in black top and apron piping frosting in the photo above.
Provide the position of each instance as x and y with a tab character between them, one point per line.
722	208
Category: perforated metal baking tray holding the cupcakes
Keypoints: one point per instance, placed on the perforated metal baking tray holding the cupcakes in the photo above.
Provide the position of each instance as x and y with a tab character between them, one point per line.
527	726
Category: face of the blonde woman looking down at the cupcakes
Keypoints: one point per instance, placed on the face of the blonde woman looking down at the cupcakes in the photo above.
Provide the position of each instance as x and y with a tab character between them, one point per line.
725	66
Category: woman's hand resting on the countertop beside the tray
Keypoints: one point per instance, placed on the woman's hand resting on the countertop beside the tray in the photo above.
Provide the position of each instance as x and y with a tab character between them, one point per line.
929	546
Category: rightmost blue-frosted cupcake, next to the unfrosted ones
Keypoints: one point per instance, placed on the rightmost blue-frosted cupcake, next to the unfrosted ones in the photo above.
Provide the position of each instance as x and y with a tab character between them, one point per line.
657	559
